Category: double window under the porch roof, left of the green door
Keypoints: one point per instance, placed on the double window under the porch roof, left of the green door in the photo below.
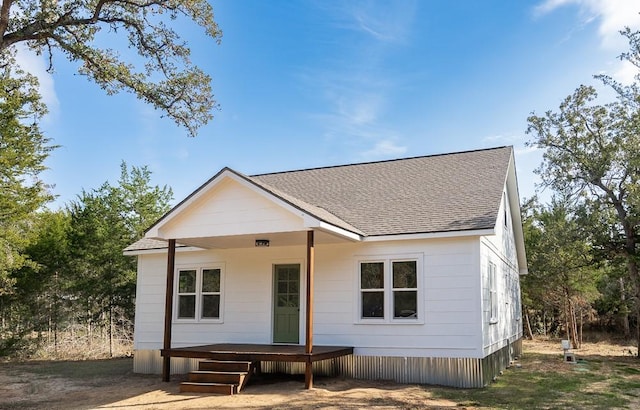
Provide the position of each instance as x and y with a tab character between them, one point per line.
199	293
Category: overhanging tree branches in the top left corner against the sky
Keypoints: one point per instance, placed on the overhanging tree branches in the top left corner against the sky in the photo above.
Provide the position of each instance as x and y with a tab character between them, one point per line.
162	73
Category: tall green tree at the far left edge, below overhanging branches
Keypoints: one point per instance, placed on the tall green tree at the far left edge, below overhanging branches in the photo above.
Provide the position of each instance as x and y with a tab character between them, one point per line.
23	150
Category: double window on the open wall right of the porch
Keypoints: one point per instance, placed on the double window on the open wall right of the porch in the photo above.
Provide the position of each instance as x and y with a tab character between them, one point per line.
388	290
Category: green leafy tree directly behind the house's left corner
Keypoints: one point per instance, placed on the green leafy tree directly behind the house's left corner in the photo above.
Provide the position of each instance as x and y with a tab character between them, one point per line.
103	222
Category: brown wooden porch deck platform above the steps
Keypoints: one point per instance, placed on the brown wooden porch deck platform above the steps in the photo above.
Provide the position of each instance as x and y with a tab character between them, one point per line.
258	352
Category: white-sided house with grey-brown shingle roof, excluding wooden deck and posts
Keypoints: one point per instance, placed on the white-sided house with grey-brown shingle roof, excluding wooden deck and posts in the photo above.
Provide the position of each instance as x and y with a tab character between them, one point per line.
416	266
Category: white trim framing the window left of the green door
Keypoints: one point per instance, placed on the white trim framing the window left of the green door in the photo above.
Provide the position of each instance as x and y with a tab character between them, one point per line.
198	308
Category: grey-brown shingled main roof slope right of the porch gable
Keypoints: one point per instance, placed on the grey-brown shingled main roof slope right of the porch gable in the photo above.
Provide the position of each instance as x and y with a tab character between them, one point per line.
438	193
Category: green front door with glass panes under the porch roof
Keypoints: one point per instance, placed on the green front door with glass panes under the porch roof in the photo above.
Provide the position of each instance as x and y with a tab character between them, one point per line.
286	313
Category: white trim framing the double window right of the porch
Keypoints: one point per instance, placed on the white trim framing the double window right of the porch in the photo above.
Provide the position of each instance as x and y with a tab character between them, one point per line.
388	318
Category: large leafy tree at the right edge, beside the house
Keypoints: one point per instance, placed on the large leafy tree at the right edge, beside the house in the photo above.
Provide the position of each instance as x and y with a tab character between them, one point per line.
592	154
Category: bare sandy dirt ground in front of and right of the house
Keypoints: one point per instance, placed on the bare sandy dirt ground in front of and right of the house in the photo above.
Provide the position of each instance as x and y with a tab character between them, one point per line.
112	385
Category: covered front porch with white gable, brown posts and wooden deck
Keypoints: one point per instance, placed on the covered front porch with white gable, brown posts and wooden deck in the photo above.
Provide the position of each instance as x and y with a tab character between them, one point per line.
233	212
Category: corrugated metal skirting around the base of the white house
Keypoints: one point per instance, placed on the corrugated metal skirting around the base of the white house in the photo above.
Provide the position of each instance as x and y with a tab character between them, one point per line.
463	372
